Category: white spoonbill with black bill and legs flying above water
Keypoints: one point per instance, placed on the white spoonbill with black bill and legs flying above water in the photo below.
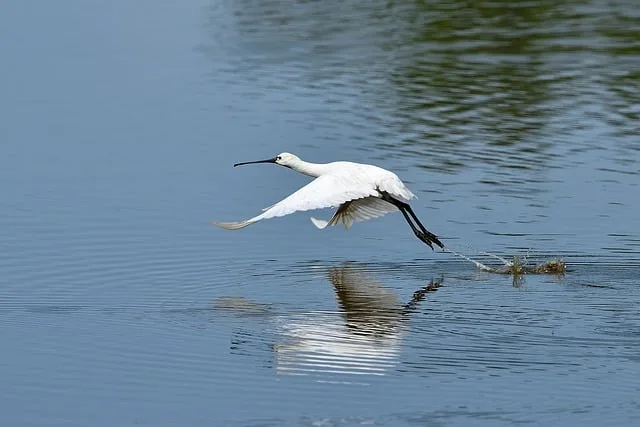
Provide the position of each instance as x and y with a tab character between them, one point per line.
359	191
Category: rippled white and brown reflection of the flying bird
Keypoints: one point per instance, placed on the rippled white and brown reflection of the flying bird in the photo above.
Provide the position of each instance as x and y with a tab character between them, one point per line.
364	337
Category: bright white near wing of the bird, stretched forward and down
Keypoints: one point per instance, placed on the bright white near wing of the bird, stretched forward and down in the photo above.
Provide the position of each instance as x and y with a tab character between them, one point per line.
323	192
